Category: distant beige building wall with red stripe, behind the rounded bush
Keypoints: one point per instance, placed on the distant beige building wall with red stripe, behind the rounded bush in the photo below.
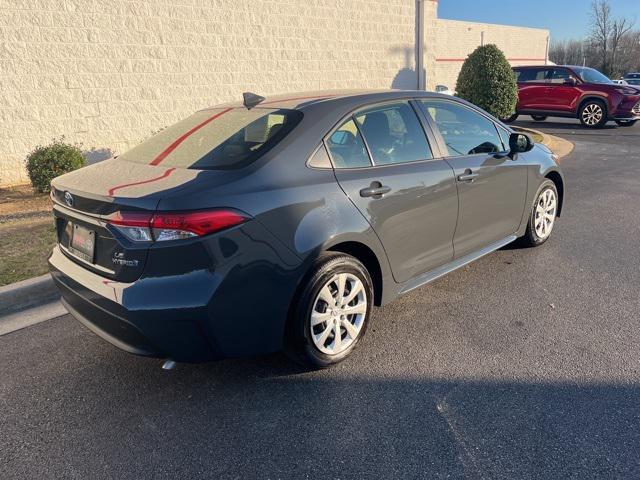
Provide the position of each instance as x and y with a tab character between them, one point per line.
455	40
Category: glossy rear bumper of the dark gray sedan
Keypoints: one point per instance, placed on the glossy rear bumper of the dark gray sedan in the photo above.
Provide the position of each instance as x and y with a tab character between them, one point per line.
198	314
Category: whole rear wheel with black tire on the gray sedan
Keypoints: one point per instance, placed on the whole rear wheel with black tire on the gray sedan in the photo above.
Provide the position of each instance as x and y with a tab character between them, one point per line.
318	311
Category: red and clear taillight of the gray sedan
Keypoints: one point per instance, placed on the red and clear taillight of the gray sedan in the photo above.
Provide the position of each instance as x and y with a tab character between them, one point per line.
163	226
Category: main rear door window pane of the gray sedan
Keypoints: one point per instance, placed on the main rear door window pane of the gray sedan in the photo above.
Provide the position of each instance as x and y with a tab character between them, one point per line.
393	134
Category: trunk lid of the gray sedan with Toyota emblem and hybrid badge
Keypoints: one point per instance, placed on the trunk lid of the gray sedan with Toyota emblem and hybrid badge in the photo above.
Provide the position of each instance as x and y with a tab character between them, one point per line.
84	201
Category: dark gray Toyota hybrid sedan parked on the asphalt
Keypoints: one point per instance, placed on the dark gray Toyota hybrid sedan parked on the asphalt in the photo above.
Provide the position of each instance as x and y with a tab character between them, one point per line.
279	223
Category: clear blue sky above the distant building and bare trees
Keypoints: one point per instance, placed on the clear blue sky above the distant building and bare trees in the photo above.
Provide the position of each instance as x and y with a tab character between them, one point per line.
565	19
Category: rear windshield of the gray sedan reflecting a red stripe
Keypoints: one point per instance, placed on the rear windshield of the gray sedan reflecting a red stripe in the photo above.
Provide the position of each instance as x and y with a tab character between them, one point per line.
216	139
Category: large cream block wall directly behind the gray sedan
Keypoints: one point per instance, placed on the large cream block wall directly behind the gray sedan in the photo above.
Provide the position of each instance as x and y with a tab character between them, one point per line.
107	73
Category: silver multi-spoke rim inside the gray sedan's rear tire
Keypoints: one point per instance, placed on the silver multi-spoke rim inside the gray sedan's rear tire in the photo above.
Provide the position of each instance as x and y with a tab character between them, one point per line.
338	313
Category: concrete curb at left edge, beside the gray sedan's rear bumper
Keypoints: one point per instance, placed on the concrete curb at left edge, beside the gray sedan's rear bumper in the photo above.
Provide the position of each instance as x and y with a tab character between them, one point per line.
27	294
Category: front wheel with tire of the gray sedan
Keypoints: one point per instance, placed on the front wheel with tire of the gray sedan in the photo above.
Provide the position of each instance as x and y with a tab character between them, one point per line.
543	211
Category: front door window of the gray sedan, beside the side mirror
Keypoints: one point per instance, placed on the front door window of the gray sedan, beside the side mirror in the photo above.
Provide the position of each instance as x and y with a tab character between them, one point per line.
464	131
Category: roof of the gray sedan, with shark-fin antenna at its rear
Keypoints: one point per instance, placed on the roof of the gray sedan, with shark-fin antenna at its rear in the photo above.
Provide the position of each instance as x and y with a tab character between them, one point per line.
302	100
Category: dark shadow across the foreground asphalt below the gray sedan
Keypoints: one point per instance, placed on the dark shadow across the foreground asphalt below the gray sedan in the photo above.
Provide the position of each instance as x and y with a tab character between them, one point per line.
265	418
